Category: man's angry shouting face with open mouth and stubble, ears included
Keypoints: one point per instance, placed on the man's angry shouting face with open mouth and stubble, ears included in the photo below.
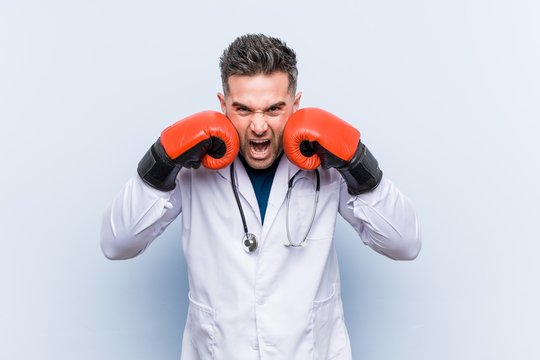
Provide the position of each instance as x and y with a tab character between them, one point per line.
259	106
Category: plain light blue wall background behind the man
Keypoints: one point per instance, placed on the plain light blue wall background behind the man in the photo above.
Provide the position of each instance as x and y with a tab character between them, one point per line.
445	93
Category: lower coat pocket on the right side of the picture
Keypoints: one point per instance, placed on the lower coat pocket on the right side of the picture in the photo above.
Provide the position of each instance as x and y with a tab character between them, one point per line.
328	327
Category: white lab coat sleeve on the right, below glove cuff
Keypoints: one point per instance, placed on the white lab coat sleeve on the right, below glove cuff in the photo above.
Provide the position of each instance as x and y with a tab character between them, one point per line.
385	220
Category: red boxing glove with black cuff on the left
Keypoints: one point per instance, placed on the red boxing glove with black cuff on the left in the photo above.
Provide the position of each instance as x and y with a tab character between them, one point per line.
207	137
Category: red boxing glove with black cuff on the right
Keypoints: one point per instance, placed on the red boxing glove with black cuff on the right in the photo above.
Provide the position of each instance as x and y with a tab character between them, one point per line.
314	137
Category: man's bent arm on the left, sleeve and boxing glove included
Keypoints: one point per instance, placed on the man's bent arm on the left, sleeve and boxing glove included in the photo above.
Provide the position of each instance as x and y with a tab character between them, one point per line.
150	201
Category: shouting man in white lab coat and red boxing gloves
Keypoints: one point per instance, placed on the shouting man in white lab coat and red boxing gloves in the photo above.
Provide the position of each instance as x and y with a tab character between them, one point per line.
258	216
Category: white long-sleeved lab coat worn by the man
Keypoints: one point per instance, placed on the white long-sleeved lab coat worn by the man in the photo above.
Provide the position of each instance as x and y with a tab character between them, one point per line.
279	302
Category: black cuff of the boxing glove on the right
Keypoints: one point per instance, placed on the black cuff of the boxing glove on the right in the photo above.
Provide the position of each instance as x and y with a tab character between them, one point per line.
362	174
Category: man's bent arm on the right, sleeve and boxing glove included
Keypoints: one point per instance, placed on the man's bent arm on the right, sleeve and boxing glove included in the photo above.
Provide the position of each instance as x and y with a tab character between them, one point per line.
382	216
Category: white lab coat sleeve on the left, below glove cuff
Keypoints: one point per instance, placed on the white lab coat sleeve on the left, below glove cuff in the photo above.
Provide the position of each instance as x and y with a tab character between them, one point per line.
136	216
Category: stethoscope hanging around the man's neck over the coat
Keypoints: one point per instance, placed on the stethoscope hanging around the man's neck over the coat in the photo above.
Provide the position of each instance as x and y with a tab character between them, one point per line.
249	240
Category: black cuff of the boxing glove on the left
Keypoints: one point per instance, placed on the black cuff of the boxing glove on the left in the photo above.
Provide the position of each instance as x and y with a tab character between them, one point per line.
157	169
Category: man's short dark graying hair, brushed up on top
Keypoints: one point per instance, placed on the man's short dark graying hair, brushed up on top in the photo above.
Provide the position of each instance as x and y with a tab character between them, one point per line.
254	54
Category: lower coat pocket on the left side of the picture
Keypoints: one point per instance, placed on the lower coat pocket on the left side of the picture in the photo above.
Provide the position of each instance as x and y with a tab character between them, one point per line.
201	322
